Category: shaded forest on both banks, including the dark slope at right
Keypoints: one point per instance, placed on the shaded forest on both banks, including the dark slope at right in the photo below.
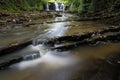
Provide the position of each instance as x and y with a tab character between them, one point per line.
93	9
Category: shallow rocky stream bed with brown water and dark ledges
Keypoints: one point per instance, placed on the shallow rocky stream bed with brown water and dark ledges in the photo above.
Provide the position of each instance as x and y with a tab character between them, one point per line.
61	49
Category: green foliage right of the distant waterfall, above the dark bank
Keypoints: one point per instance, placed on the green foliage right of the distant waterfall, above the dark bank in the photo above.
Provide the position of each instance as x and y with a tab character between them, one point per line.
91	6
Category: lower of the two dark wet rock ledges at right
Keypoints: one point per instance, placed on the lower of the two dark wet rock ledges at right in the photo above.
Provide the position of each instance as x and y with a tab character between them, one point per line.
89	42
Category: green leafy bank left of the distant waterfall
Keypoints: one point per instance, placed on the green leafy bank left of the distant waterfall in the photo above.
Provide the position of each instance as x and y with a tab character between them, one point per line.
21	5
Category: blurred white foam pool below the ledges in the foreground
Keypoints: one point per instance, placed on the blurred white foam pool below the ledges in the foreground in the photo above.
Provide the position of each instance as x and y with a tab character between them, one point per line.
51	59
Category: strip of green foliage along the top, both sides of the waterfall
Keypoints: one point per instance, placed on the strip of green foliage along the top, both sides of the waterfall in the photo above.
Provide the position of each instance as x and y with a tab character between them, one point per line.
81	6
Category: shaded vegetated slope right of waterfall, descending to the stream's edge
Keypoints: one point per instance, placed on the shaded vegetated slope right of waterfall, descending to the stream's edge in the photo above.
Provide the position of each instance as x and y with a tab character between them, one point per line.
106	10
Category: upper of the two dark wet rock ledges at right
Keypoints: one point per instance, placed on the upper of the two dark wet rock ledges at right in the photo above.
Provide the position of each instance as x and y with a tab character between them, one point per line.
89	37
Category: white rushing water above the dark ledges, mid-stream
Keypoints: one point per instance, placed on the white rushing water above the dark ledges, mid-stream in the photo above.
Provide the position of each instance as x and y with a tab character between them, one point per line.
55	30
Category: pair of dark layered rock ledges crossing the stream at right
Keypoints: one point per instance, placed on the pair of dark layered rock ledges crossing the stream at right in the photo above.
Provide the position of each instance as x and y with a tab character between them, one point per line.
87	39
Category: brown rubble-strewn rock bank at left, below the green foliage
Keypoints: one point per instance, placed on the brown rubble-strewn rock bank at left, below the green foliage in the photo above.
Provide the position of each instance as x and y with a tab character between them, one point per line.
24	17
